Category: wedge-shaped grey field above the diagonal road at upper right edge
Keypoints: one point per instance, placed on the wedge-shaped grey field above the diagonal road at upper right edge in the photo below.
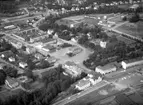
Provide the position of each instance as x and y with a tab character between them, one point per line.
132	29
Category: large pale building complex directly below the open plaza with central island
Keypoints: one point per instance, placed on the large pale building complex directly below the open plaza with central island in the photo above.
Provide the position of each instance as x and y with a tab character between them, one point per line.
72	68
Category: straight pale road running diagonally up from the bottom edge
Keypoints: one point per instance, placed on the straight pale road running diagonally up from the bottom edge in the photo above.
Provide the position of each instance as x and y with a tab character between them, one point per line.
78	95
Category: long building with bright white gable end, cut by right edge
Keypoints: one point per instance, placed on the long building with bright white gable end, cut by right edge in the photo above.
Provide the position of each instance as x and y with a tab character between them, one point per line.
130	63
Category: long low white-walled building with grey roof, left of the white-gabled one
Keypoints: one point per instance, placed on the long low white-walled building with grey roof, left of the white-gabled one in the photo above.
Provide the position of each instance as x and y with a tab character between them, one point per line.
106	69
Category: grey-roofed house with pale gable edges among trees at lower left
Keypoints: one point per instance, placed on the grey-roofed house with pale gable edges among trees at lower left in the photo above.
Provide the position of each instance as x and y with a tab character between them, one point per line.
11	82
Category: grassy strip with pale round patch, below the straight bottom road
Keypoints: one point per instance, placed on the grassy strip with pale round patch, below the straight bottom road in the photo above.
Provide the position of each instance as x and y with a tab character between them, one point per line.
97	95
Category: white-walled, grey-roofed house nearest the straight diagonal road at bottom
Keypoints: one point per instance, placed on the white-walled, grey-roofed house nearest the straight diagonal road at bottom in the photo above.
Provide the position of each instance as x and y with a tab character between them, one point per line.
83	84
